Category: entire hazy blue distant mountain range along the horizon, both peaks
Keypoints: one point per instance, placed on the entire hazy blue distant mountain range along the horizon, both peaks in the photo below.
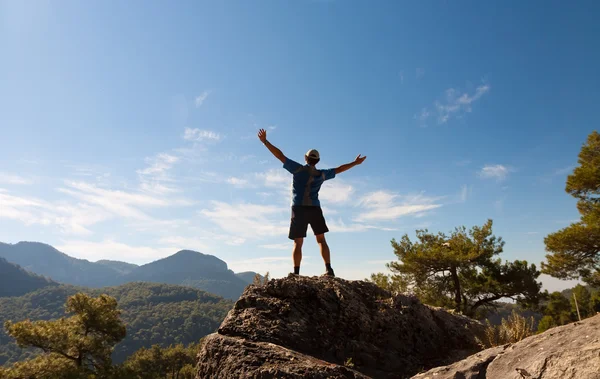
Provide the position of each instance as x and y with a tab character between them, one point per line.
186	267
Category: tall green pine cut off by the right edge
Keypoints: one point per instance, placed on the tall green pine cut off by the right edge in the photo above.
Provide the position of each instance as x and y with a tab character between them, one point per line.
575	250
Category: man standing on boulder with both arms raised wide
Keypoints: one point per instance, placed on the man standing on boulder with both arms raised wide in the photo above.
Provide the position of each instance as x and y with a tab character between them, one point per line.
306	208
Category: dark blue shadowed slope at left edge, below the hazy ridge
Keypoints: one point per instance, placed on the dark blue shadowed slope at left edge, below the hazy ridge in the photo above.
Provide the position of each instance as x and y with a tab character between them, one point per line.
15	281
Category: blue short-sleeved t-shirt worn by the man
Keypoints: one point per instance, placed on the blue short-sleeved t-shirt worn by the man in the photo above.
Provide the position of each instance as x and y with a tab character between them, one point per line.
307	182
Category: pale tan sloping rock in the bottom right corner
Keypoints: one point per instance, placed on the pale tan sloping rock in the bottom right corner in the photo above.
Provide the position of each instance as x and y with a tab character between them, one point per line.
566	352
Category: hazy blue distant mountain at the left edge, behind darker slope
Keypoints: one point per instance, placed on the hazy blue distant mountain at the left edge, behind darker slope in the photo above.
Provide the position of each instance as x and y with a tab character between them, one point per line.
45	260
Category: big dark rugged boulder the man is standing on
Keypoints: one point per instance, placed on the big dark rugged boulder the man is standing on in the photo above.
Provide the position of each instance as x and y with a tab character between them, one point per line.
321	327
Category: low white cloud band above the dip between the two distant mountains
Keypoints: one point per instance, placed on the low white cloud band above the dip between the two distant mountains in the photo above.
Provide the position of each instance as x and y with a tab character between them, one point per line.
109	249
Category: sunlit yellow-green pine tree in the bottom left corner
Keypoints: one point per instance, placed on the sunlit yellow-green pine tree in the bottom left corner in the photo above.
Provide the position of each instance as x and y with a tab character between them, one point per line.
81	344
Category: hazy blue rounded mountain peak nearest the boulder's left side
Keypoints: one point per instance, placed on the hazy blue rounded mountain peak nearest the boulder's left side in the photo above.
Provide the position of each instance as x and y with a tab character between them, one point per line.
194	269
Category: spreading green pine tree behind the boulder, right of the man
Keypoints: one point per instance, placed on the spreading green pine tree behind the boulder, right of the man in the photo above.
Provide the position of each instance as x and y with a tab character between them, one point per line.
461	270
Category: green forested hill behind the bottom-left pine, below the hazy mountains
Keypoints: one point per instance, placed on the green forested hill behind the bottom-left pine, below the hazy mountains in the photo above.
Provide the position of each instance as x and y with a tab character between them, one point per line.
153	313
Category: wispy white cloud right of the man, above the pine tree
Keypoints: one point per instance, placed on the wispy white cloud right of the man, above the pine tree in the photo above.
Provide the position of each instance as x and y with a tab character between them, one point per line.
383	205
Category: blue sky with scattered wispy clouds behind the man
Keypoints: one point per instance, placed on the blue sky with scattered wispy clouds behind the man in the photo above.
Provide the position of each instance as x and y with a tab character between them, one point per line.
128	129
